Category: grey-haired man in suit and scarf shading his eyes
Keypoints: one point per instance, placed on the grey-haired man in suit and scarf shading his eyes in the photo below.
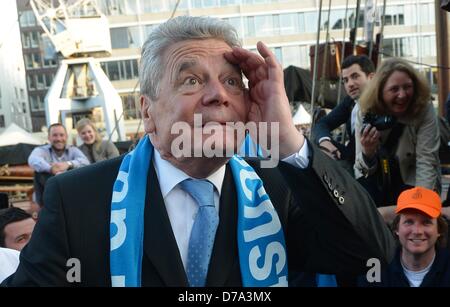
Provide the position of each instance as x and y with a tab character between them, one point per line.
156	217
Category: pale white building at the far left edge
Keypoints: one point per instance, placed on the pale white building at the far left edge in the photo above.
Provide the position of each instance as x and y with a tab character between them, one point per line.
13	99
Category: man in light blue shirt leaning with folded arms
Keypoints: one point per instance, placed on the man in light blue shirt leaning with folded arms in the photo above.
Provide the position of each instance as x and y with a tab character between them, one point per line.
54	158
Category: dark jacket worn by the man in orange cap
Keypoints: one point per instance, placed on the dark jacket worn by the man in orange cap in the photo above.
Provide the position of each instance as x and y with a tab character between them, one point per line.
393	275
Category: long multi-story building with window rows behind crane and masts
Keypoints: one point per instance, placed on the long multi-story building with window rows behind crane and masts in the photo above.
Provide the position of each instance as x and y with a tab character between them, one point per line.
289	27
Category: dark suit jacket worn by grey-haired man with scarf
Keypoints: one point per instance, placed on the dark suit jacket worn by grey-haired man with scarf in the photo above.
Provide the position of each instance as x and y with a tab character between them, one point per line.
330	225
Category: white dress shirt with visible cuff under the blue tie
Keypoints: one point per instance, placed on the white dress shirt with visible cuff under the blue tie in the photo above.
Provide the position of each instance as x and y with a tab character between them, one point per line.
182	208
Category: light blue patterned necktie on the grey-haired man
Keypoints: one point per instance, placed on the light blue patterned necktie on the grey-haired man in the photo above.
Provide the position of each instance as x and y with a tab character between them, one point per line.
203	231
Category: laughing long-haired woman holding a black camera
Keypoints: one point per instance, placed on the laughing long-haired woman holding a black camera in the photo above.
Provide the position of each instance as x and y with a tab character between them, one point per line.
393	155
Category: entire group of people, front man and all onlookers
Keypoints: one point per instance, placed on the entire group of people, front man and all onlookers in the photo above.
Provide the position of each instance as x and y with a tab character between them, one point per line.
154	217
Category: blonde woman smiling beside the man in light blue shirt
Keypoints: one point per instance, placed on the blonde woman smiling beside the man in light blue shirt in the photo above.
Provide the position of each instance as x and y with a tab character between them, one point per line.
94	148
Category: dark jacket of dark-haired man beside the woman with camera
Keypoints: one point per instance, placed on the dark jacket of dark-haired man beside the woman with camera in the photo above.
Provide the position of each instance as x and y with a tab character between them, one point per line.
339	115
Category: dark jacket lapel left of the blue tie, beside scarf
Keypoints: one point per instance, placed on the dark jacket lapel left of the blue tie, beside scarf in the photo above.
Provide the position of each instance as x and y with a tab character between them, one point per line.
159	241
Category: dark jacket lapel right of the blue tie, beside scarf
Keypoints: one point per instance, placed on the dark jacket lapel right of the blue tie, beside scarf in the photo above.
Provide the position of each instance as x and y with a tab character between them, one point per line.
225	253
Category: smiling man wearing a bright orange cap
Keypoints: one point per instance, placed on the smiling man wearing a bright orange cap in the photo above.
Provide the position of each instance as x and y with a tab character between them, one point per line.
421	260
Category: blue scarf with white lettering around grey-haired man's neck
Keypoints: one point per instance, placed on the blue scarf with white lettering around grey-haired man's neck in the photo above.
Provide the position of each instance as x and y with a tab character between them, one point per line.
261	244
